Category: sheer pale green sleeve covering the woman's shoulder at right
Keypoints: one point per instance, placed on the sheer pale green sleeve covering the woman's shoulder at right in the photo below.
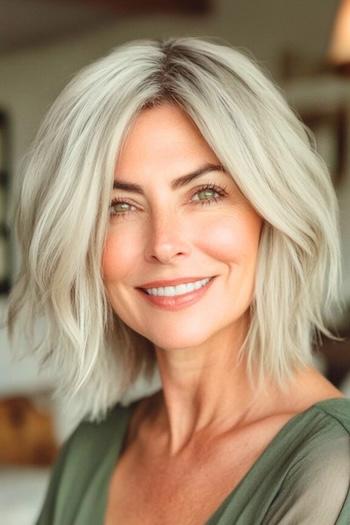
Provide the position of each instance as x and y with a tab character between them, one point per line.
316	487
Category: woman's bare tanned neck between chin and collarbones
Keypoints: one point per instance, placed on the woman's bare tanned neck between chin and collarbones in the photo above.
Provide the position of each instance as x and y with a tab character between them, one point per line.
205	393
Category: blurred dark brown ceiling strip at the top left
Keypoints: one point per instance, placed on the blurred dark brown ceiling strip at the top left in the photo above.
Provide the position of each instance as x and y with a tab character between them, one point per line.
25	23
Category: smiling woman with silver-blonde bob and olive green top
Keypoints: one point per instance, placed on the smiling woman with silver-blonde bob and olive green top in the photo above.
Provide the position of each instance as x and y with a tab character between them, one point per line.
163	164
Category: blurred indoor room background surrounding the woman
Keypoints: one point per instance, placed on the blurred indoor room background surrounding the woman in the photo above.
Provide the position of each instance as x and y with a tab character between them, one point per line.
306	48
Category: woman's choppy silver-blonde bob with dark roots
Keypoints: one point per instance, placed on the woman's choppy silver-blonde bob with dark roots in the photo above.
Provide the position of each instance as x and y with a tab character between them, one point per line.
62	214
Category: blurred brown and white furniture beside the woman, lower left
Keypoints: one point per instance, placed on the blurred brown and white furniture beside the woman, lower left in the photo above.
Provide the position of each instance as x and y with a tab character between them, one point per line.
28	449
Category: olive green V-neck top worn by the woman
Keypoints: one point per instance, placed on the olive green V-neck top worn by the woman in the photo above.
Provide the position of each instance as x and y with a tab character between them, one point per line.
302	476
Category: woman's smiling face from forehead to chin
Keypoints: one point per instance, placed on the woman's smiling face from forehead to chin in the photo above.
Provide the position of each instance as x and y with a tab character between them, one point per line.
159	230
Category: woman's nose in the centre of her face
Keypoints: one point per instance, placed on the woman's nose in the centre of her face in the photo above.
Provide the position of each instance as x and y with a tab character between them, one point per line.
167	239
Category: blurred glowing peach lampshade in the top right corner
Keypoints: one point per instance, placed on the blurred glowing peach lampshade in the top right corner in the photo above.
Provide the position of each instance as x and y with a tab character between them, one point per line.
339	51
